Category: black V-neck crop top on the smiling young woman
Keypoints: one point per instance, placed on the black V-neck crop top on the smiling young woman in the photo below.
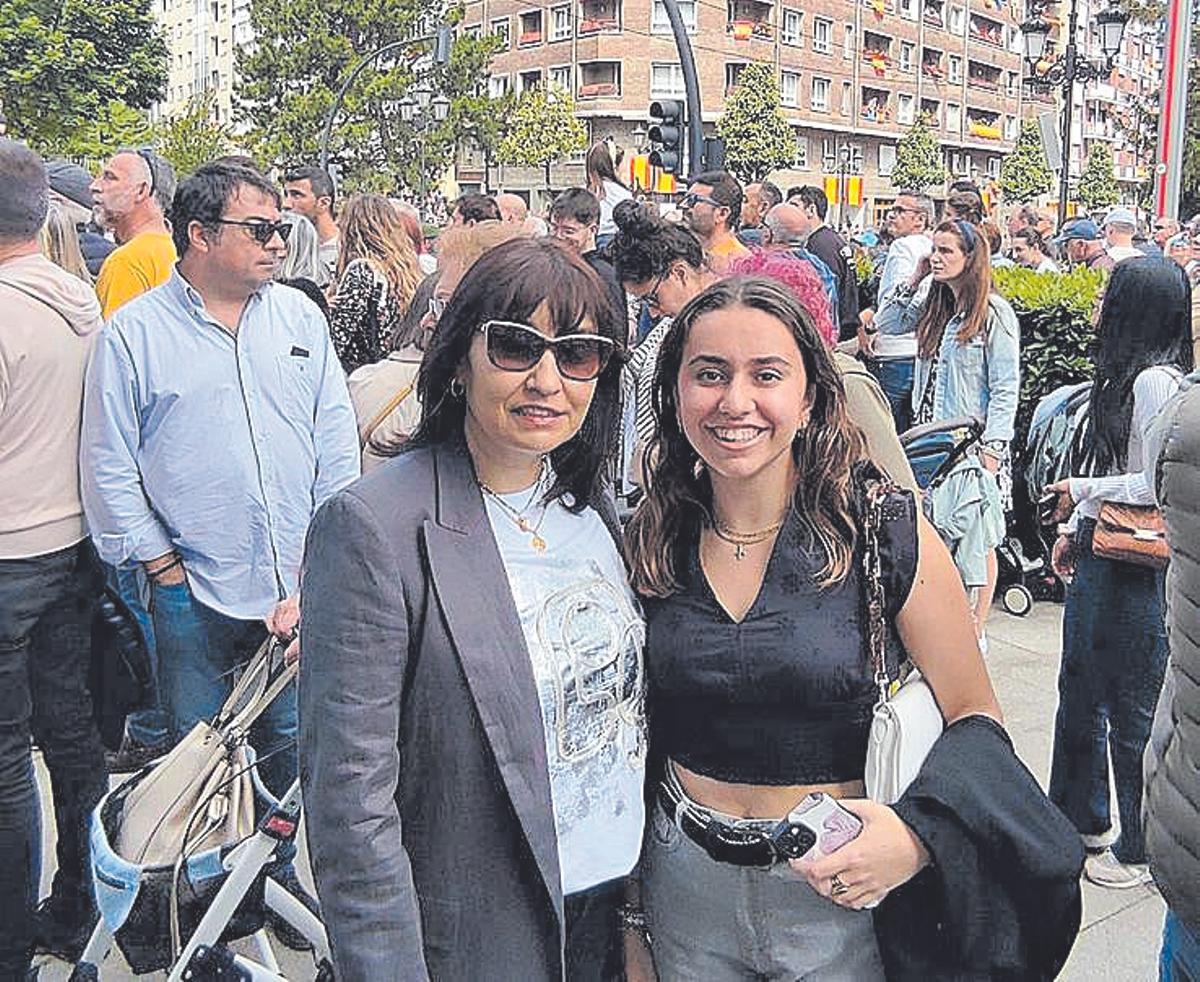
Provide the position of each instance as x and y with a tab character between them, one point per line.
785	697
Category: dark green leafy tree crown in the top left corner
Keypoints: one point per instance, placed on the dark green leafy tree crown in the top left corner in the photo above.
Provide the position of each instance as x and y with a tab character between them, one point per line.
64	65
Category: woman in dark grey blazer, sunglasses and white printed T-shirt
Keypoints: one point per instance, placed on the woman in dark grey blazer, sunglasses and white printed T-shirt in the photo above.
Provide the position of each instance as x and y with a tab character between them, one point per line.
471	727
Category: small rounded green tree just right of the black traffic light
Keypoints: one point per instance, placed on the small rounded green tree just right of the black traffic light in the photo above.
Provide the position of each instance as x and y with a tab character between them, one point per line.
758	137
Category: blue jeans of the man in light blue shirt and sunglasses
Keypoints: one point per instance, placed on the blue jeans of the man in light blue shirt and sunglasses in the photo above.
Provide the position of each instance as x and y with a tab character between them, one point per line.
200	650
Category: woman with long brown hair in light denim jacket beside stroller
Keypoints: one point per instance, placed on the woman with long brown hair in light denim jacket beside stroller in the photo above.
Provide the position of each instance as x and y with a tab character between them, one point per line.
969	366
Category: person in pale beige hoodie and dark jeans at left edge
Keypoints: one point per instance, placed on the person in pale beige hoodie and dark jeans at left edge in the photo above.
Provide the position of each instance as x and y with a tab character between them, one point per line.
50	578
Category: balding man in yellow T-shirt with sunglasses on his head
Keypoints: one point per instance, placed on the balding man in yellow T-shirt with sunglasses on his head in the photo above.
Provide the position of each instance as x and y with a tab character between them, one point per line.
133	196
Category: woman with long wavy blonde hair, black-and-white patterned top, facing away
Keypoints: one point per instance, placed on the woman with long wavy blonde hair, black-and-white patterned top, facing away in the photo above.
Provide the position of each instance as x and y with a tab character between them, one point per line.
377	277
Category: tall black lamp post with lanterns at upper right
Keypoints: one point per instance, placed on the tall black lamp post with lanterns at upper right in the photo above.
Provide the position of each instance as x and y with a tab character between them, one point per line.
1070	68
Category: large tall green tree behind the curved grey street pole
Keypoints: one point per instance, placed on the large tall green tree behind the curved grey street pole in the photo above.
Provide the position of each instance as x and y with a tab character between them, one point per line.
305	49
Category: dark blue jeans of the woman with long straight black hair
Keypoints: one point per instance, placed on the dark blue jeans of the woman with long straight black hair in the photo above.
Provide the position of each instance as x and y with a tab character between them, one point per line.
1114	657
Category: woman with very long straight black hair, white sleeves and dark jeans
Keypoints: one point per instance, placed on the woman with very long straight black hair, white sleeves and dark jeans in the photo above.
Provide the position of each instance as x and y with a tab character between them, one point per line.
1114	640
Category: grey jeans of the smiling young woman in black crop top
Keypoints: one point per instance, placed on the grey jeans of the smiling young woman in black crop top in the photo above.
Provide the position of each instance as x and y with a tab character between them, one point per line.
718	923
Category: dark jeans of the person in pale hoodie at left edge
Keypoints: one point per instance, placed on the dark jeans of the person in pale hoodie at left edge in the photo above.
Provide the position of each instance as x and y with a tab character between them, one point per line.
46	608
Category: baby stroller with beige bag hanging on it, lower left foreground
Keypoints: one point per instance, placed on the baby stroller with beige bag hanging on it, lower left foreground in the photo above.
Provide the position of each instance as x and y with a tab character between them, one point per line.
181	866
